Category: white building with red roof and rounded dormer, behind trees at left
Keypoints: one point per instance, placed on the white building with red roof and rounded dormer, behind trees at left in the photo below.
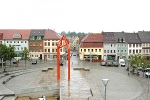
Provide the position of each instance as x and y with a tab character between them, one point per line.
18	39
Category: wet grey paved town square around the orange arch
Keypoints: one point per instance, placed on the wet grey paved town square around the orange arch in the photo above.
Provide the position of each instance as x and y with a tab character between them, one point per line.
120	87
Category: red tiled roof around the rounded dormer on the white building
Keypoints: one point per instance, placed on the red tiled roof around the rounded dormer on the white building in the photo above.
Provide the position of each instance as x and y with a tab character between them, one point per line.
24	32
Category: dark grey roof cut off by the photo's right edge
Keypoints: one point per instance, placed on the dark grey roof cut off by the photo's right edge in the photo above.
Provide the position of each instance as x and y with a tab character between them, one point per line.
144	36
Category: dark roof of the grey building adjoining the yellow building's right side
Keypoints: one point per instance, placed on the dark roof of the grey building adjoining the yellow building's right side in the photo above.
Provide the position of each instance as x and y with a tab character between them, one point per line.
109	37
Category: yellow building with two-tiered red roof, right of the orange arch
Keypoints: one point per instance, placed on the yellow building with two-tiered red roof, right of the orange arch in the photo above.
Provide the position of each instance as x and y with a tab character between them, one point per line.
91	46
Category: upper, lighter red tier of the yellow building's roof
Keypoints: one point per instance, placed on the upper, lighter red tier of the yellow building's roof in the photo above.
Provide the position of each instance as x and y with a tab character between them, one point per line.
93	37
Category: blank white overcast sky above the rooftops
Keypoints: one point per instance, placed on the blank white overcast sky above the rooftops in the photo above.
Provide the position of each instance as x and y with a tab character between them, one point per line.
76	15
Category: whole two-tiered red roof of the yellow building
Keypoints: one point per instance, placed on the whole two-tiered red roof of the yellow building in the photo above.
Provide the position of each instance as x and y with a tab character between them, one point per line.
92	40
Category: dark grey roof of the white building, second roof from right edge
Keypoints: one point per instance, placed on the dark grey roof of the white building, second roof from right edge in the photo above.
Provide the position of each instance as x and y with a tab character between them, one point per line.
132	38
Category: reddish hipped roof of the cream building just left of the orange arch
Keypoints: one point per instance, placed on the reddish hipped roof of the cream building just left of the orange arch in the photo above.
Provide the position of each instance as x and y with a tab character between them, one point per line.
51	35
